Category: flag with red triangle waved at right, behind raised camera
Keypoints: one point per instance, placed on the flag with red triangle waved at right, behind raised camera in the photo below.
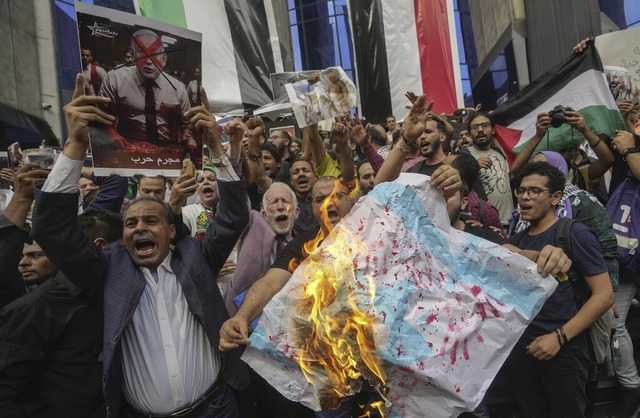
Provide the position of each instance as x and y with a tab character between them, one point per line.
579	83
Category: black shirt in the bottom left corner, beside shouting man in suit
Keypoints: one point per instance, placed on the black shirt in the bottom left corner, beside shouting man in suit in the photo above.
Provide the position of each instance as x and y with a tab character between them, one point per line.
51	341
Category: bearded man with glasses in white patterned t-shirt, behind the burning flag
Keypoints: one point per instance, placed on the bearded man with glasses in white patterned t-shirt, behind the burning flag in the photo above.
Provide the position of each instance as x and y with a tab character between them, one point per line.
494	171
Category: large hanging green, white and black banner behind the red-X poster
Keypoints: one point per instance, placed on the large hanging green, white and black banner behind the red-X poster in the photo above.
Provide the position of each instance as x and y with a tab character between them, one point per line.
240	46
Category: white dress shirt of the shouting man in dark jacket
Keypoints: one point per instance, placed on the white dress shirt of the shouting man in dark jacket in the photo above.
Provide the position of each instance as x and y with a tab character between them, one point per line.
168	362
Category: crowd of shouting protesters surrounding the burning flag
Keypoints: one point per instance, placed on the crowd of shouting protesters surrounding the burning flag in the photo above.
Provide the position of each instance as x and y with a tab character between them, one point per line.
141	306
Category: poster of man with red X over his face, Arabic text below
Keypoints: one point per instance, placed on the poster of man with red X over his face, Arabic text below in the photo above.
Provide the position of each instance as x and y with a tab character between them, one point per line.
146	68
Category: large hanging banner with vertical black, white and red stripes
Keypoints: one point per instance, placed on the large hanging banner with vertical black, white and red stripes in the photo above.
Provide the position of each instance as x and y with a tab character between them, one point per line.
405	45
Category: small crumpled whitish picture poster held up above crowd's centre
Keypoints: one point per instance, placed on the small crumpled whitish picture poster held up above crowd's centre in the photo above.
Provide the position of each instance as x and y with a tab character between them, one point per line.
321	96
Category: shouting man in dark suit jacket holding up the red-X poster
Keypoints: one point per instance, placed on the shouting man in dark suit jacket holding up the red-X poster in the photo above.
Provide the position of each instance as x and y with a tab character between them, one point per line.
162	308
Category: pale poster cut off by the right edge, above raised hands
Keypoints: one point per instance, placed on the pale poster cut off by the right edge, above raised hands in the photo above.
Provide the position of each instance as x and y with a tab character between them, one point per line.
620	55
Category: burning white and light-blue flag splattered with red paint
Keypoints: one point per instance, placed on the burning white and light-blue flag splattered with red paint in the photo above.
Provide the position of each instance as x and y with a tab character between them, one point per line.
394	297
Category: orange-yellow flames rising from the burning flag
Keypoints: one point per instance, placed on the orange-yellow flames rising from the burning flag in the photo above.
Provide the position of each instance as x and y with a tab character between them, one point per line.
336	338
